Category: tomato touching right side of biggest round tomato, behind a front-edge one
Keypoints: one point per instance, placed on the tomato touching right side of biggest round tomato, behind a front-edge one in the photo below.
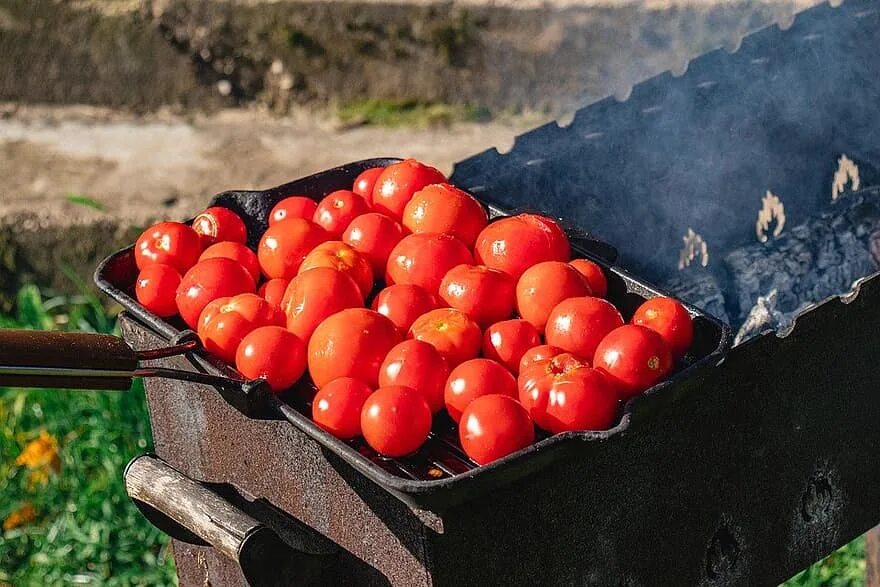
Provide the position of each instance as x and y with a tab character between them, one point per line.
418	365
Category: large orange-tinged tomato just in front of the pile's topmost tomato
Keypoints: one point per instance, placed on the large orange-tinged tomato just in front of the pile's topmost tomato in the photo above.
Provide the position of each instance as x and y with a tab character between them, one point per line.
444	208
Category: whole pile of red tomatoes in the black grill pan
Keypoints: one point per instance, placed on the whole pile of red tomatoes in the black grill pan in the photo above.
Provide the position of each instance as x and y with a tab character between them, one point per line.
400	299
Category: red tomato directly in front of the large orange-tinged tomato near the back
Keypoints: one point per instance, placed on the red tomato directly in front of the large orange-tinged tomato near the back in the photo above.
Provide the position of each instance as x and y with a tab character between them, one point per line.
423	259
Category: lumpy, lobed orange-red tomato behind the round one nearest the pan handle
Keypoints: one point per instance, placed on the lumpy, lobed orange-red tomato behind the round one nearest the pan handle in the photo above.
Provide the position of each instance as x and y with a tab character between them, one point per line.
226	321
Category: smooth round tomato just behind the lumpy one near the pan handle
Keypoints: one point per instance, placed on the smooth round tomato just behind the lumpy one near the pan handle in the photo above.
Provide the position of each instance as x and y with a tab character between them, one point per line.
208	280
